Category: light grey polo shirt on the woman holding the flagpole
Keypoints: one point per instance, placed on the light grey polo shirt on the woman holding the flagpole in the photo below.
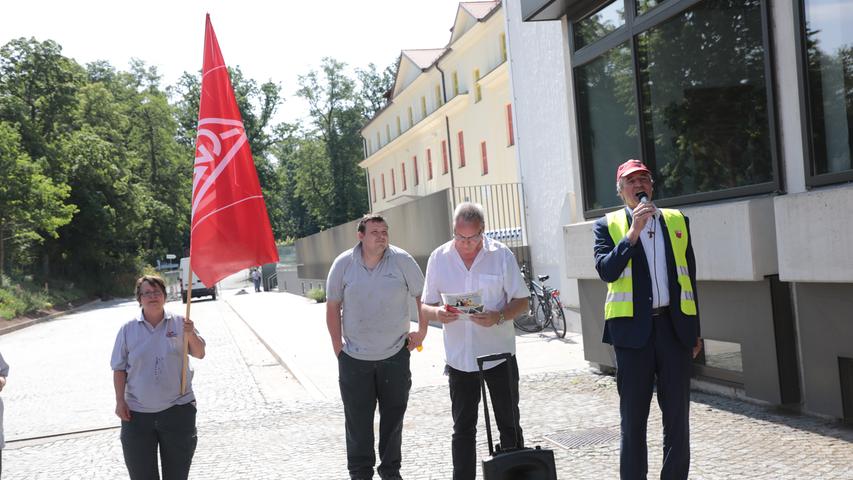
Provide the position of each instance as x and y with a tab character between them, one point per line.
153	359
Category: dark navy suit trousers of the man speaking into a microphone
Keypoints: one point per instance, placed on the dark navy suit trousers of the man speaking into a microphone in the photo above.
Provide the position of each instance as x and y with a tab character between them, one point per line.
666	363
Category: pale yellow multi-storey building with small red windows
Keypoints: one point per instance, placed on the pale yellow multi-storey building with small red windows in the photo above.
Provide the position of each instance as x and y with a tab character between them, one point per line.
449	121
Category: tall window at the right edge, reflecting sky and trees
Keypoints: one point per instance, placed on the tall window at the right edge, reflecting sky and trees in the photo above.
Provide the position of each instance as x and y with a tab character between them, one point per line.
828	48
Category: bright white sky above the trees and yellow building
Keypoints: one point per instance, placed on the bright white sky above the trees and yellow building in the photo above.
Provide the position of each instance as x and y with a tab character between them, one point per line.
276	40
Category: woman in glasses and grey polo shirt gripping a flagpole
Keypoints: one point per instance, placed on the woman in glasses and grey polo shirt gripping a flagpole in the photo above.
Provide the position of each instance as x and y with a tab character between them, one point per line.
147	362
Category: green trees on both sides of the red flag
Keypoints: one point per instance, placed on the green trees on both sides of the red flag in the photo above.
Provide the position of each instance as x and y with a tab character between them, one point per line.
96	162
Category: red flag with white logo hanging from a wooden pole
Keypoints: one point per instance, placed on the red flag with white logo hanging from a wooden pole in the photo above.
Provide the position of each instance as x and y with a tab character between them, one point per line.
230	226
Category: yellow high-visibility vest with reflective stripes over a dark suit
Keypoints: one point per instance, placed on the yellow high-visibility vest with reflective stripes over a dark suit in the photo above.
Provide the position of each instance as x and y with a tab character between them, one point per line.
620	293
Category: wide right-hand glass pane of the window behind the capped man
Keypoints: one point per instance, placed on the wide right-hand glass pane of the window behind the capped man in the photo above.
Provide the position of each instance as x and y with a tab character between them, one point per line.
704	99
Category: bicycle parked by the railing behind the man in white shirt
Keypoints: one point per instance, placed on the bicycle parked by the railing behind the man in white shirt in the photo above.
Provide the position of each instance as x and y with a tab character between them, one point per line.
545	308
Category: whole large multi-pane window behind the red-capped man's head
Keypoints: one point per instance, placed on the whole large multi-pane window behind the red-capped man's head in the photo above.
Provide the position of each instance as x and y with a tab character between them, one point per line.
686	90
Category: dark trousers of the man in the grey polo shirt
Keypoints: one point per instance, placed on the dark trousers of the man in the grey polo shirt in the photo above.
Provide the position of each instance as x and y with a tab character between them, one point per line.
364	384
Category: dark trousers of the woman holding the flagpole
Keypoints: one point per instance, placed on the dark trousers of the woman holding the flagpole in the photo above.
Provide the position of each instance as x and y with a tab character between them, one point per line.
172	430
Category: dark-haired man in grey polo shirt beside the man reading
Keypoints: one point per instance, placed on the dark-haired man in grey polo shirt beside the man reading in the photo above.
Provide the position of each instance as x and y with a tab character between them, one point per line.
374	284
